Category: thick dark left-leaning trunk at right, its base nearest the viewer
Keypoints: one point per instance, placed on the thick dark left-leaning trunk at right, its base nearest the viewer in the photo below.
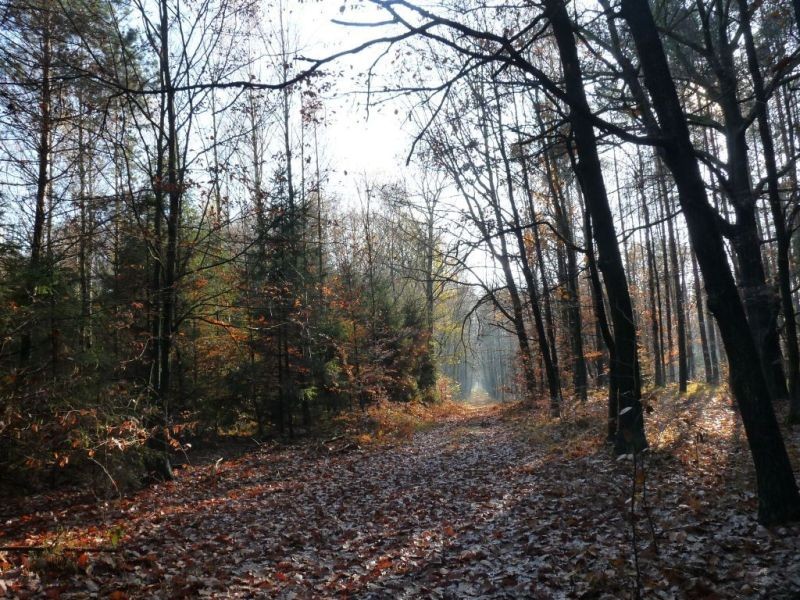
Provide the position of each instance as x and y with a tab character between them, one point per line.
779	500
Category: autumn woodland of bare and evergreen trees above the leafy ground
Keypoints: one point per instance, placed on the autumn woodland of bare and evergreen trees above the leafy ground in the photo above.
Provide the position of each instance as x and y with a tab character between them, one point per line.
600	201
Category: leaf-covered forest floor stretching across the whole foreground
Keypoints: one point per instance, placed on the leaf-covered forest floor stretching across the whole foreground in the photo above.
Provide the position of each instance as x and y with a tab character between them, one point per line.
488	502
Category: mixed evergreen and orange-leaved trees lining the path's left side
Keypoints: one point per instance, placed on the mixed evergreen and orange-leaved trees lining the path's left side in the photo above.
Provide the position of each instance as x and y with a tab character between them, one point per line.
170	256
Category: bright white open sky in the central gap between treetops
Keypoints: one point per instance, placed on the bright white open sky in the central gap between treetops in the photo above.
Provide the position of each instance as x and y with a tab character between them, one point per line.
375	145
